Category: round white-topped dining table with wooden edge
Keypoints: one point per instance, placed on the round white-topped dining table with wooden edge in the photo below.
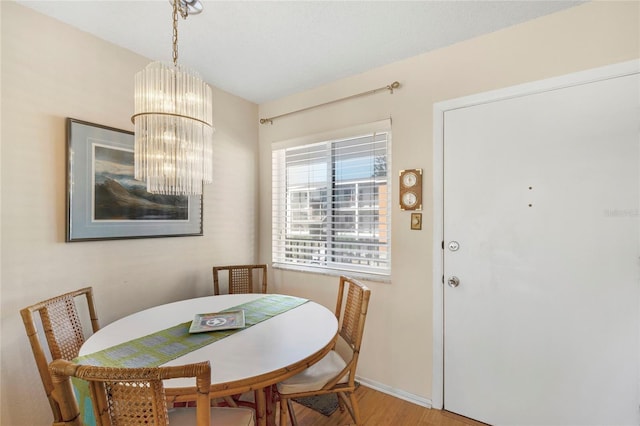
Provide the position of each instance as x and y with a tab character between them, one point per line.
252	359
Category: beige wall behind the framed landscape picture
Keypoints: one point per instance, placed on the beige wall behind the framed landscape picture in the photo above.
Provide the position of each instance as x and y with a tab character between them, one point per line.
51	71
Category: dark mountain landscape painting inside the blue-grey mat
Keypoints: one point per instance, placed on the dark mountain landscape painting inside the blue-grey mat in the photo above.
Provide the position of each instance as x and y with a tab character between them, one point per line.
119	197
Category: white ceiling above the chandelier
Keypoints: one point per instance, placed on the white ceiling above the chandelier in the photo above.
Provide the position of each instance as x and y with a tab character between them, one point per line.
264	50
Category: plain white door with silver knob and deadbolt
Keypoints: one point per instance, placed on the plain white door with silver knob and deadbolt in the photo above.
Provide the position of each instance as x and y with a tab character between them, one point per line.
541	213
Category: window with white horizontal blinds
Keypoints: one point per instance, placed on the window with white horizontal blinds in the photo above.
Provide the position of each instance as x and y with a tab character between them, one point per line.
331	201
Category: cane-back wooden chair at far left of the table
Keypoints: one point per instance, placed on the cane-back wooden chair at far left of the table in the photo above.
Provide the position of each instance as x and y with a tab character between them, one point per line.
62	330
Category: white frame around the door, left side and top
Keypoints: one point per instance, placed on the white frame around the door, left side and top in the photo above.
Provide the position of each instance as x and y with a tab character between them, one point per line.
439	109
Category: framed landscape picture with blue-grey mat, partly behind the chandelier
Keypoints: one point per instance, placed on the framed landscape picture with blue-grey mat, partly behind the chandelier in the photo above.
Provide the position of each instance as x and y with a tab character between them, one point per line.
104	201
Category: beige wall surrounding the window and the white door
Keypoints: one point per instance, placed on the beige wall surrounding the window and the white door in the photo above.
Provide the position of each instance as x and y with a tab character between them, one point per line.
397	349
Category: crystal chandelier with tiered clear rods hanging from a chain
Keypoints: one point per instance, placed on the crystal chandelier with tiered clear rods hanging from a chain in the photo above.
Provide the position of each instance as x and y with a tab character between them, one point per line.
173	122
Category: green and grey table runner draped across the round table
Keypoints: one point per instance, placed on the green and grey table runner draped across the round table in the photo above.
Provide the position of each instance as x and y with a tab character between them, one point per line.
163	346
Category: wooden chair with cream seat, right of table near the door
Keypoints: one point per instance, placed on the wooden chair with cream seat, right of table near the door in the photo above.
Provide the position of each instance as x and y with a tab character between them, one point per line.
332	374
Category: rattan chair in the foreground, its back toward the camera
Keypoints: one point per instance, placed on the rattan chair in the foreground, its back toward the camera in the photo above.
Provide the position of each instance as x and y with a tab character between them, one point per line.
135	396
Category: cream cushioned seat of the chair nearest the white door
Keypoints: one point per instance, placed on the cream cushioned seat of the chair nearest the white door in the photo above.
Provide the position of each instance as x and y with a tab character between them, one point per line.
316	376
